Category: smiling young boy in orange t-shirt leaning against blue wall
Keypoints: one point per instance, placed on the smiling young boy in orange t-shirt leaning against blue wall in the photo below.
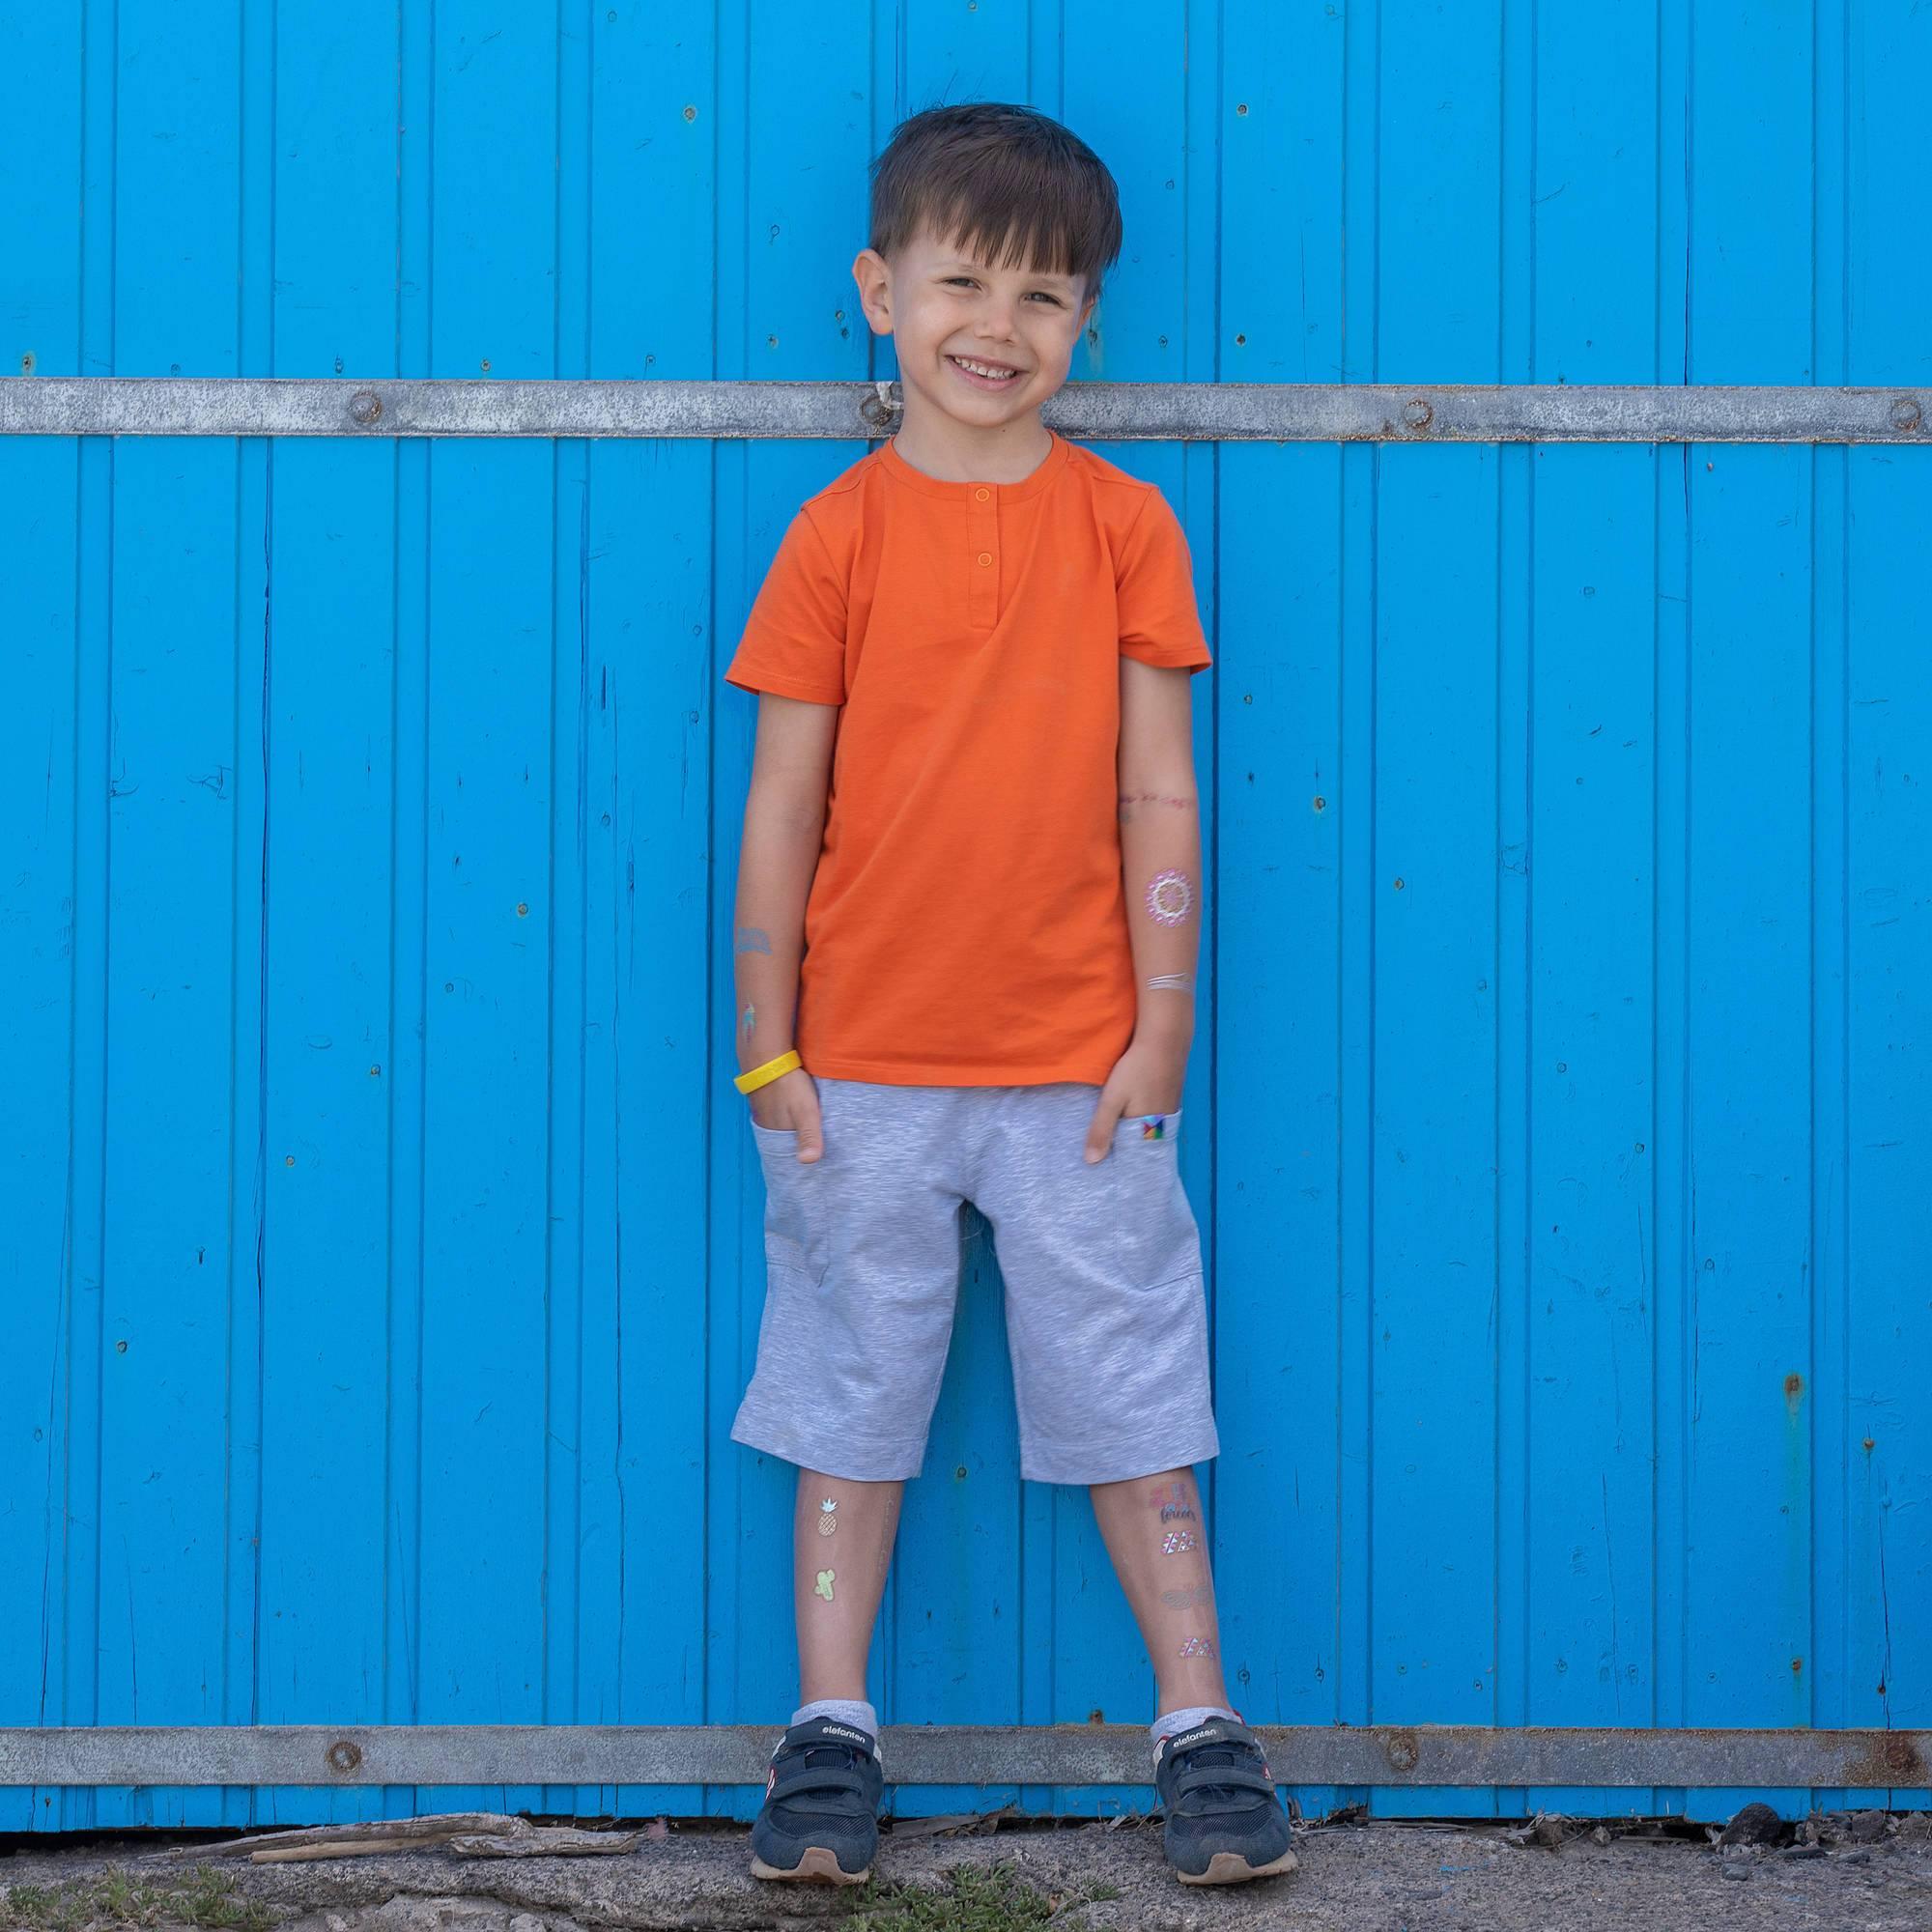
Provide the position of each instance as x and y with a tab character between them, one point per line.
971	876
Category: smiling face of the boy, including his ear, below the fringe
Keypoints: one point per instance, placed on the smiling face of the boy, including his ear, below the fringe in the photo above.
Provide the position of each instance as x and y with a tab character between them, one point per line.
944	308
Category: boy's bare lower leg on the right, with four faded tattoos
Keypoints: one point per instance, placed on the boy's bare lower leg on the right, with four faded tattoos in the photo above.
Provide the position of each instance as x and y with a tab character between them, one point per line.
1160	1552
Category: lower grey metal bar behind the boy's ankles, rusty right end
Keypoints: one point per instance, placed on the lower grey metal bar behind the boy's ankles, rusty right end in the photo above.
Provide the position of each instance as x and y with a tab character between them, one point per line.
950	1755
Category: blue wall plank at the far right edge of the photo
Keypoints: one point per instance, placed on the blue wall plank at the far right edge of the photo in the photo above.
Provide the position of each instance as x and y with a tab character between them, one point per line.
1887	1319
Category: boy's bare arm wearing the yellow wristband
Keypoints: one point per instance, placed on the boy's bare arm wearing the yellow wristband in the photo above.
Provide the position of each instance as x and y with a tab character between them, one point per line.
783	832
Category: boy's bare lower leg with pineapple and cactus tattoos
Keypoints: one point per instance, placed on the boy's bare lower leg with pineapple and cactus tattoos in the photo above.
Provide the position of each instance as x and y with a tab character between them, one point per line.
839	1579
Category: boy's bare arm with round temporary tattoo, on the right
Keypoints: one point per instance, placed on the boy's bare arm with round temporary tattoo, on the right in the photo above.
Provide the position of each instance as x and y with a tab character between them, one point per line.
1162	868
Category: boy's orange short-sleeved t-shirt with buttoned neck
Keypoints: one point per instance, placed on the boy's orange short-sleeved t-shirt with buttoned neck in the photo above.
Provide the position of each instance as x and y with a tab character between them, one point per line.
967	923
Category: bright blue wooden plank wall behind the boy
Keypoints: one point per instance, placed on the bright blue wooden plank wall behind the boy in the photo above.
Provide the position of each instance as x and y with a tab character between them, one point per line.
380	1264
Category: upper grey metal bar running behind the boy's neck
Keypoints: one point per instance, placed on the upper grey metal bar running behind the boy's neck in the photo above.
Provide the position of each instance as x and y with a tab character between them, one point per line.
1168	412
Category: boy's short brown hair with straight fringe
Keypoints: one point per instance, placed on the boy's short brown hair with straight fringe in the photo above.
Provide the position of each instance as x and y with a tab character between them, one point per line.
998	179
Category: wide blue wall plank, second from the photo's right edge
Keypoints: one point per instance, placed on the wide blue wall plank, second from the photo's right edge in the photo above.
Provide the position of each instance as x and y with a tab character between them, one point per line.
1749	921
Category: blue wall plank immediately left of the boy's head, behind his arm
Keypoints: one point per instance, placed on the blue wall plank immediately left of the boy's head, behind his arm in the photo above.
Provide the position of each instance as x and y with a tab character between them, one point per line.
795	105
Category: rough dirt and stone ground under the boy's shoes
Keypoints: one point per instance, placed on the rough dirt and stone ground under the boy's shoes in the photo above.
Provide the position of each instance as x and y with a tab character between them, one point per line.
1867	1873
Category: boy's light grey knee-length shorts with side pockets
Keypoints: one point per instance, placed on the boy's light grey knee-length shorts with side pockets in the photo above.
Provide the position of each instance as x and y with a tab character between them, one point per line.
1106	1317
